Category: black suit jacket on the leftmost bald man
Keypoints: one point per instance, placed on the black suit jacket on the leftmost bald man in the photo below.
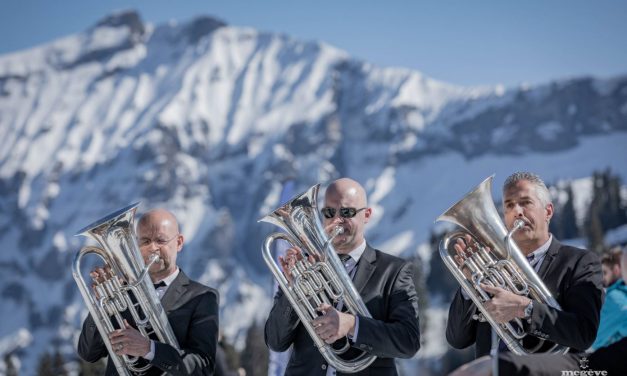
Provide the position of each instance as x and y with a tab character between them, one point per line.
192	311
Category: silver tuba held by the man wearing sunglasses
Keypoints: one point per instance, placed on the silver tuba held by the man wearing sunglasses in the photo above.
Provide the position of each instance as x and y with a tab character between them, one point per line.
323	281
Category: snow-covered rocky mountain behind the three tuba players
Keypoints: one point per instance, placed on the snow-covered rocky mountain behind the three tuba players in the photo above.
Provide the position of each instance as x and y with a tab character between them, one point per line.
208	120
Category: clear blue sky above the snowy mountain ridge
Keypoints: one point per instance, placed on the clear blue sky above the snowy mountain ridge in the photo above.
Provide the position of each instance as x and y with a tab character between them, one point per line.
460	42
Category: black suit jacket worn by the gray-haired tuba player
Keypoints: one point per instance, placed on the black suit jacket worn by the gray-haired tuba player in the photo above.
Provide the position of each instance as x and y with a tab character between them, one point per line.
574	278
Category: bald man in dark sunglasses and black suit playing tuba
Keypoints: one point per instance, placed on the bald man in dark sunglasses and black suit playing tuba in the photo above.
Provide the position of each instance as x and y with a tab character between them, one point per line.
386	286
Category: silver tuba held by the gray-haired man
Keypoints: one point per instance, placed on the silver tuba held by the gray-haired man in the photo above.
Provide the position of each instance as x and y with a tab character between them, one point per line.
503	265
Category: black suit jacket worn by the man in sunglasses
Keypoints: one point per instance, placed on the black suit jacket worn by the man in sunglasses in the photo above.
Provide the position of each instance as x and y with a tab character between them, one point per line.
387	288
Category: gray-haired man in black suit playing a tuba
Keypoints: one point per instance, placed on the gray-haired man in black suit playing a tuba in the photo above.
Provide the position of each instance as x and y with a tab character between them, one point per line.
572	275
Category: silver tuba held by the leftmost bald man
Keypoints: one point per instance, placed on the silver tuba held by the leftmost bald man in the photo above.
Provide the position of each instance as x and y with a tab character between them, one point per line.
128	276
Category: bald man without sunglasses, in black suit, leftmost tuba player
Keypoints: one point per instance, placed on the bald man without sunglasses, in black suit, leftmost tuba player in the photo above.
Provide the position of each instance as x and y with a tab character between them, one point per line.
191	307
